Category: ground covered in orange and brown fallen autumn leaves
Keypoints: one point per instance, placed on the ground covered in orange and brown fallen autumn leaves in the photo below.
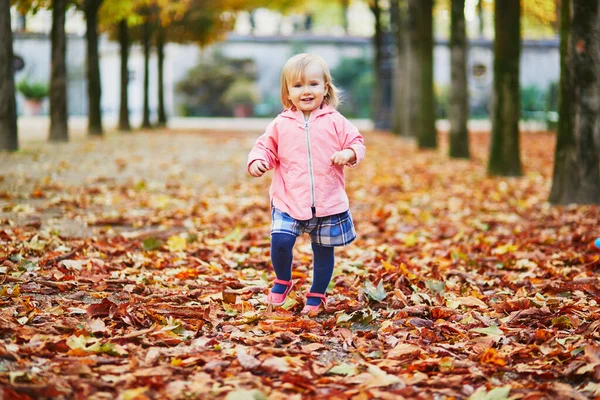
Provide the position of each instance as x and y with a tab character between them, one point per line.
137	267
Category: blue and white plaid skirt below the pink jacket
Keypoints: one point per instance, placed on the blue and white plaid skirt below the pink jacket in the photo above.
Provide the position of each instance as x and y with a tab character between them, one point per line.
330	231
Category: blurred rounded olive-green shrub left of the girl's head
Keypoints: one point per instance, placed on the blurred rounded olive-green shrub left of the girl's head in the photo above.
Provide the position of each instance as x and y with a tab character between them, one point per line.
210	88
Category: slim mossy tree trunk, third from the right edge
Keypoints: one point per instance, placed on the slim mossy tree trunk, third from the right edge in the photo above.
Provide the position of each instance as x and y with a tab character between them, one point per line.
459	100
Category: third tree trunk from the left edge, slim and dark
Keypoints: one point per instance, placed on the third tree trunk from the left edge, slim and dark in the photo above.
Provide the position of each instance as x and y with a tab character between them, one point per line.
91	8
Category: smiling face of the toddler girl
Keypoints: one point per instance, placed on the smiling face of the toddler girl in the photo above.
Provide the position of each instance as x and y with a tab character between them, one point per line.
307	93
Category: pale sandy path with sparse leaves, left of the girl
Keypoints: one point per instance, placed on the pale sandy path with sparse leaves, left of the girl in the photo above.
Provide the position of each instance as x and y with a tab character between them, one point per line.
42	173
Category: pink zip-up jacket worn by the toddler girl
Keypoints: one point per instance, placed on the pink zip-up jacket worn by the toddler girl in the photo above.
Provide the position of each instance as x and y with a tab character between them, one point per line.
300	152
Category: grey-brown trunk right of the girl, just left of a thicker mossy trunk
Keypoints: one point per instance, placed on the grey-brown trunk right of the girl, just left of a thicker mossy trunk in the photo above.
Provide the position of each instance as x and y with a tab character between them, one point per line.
398	19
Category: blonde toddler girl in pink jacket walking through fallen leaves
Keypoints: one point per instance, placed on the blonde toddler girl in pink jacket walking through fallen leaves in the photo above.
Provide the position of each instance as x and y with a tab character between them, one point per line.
308	145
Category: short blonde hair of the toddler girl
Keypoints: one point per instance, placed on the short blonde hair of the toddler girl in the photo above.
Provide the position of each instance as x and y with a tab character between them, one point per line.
294	69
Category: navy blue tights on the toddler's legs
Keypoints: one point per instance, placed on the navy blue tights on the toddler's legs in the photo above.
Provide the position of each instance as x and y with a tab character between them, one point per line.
282	245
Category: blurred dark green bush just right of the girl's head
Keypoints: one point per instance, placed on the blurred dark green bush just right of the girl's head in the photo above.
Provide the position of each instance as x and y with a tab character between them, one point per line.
354	77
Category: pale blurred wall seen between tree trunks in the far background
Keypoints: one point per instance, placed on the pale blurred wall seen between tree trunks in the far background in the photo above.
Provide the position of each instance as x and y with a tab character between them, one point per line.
539	65
